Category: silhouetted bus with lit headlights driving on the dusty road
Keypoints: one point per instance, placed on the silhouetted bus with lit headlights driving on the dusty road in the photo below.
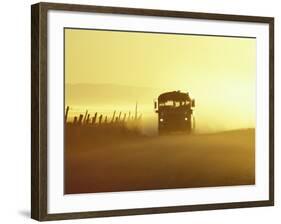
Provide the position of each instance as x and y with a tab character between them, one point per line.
175	112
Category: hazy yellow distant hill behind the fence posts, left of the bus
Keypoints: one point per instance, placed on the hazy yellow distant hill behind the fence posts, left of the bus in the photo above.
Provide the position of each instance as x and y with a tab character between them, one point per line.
97	94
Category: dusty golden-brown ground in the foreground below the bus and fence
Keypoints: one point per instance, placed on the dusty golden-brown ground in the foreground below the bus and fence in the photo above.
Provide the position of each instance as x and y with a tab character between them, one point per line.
110	164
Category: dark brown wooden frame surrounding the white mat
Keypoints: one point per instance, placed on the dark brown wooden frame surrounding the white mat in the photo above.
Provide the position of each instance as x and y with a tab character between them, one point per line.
39	105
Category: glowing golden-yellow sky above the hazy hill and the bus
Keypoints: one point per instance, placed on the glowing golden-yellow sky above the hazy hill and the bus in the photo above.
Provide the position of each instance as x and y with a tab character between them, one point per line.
219	72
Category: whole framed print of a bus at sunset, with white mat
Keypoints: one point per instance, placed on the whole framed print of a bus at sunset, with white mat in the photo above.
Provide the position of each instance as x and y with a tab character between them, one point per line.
141	111
